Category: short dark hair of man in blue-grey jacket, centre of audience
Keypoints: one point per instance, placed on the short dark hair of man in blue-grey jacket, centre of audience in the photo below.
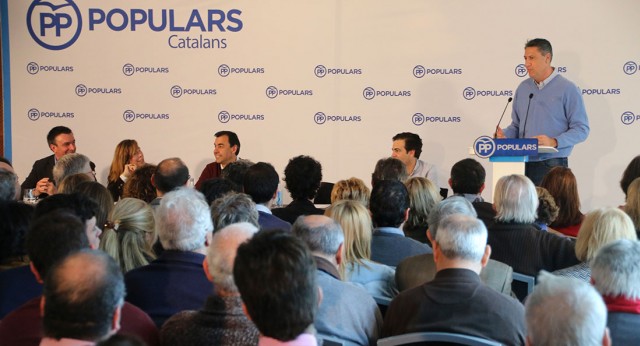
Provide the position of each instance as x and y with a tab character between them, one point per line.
388	203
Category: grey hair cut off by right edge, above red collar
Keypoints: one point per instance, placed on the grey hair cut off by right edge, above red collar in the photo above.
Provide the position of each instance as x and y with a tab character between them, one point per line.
616	269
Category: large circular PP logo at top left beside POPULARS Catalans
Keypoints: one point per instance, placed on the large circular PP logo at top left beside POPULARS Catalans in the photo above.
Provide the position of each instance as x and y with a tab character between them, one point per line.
54	27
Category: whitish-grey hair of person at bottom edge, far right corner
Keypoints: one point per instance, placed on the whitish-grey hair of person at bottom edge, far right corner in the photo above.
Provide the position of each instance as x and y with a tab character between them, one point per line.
565	311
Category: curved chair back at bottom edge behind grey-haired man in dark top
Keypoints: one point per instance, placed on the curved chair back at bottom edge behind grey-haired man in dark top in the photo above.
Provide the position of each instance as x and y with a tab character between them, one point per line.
426	337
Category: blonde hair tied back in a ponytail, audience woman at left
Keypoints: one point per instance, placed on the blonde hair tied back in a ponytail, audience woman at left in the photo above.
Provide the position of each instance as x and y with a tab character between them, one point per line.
129	237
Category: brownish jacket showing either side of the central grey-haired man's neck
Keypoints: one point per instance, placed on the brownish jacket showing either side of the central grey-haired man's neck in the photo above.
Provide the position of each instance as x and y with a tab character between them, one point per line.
415	271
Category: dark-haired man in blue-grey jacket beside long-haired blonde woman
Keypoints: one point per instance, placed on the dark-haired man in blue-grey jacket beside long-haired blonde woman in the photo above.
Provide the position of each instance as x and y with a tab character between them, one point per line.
389	208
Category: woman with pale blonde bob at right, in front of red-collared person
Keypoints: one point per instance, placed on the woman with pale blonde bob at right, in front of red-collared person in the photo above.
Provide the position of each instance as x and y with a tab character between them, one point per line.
599	228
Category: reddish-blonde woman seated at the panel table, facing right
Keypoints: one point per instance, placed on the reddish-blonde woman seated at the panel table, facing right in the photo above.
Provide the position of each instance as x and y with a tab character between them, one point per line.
126	159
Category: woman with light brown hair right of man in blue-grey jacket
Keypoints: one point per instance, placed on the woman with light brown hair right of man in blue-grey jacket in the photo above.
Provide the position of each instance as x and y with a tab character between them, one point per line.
423	197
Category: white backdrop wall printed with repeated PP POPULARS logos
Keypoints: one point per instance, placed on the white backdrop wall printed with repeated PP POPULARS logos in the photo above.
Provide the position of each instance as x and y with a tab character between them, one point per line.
361	44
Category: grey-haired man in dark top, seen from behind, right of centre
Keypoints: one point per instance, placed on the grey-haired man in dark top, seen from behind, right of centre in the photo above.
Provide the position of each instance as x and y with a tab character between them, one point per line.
456	301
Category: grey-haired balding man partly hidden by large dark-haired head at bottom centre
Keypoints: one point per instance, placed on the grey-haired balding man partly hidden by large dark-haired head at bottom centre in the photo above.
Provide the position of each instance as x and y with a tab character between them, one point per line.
221	320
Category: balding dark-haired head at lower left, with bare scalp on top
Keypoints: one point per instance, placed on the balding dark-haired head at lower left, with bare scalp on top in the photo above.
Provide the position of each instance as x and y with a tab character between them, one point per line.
81	296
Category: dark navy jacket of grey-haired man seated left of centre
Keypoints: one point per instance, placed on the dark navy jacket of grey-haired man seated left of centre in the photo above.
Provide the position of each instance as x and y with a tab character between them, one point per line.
173	282
